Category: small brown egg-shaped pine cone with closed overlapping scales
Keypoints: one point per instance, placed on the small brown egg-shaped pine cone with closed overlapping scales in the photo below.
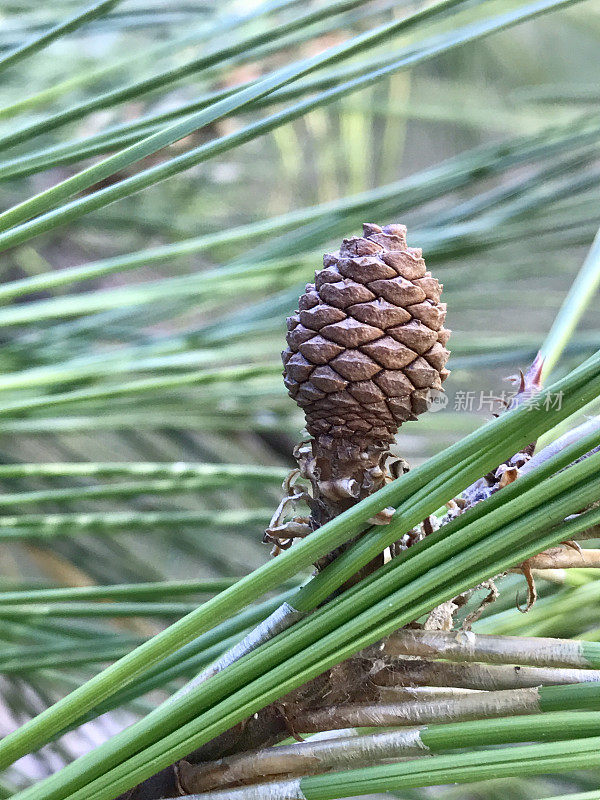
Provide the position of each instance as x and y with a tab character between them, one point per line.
367	344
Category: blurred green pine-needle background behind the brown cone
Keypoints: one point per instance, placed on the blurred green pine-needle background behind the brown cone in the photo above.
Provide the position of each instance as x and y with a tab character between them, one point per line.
148	331
